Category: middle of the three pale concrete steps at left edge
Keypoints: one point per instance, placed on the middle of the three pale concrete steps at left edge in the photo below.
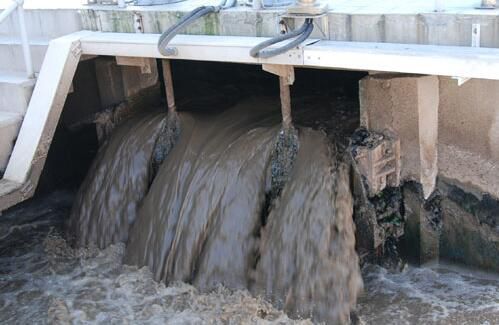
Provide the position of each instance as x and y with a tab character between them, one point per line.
15	91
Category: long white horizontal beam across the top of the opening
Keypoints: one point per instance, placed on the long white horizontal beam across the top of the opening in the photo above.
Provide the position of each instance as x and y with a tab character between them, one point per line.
400	58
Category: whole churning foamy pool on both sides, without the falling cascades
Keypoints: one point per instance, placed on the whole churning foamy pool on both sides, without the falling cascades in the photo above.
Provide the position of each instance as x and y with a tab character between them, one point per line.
45	281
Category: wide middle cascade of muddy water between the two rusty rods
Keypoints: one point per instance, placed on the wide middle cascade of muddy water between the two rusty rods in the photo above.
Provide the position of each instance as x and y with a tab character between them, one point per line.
198	221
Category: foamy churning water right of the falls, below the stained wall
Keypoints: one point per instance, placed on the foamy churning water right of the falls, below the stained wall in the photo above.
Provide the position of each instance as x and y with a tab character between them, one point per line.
442	294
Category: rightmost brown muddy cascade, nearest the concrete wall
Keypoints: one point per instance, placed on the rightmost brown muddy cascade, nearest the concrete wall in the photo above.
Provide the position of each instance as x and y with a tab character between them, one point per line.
308	263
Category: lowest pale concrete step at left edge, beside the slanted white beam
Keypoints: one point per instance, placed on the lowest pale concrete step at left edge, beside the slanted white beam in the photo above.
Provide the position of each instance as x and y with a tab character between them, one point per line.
9	128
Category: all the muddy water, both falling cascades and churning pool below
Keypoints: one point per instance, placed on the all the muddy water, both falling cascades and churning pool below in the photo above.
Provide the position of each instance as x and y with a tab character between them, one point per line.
204	247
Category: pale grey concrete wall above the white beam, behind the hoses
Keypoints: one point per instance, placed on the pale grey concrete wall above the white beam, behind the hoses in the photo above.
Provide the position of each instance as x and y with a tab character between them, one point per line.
410	28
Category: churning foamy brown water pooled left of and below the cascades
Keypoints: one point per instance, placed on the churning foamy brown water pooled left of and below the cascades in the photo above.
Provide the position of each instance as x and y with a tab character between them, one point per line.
43	280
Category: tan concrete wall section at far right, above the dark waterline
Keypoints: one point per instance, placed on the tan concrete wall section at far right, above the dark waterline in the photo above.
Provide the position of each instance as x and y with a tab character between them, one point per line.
469	134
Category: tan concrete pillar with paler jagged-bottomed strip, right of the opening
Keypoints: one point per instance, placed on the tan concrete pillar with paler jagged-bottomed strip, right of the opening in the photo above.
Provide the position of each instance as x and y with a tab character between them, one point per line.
408	106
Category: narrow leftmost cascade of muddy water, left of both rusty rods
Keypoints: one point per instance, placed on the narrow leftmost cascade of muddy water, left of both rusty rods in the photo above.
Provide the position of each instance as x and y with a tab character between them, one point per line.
119	178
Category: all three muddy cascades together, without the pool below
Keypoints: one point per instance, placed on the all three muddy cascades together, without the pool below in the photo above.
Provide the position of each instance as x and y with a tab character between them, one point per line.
212	216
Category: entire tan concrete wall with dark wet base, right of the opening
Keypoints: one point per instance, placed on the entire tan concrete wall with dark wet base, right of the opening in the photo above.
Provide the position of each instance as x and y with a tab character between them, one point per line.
459	220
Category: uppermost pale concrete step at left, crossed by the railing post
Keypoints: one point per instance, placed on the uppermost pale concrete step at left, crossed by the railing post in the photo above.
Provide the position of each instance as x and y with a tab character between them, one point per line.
11	53
